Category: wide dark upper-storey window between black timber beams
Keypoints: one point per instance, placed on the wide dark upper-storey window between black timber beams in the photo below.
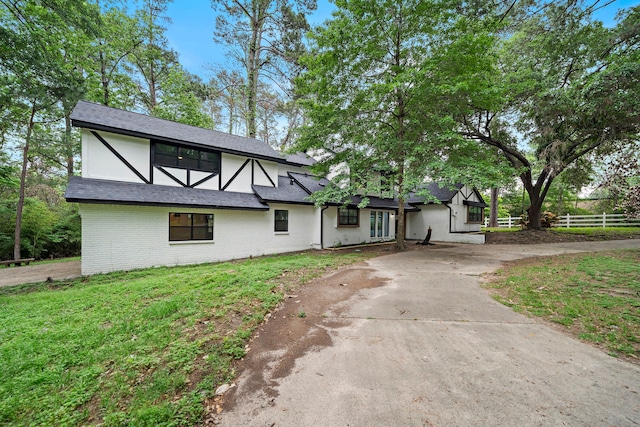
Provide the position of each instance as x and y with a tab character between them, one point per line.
186	158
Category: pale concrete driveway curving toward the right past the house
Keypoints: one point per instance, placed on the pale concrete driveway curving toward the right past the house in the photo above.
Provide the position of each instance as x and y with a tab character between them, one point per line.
431	348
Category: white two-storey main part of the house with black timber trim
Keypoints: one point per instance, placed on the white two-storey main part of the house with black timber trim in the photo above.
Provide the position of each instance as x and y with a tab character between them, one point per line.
155	192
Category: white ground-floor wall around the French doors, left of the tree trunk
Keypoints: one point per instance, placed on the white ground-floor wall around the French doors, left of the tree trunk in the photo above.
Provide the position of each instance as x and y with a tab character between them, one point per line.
335	235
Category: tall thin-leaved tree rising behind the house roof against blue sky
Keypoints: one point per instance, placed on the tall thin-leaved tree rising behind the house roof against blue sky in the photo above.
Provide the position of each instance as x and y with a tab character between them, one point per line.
266	39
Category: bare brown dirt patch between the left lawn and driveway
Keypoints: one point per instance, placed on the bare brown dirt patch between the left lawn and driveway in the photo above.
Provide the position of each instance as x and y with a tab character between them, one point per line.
303	322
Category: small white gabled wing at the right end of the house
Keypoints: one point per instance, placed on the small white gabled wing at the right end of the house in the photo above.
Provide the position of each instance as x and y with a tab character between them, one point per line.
457	217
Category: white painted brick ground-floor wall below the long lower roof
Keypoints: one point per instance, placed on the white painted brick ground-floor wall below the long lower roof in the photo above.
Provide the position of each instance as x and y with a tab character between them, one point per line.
129	237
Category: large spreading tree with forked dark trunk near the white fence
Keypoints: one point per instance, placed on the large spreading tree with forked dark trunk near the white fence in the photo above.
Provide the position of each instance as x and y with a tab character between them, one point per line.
569	91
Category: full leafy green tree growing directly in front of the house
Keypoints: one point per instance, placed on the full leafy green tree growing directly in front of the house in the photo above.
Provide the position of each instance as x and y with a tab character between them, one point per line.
373	95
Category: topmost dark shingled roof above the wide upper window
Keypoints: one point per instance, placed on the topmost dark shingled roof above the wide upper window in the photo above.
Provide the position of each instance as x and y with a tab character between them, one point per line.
98	117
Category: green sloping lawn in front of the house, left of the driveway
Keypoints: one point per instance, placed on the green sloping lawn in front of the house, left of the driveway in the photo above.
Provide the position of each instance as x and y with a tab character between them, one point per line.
140	348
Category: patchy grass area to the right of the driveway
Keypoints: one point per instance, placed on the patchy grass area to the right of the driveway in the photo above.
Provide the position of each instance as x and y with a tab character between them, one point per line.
595	297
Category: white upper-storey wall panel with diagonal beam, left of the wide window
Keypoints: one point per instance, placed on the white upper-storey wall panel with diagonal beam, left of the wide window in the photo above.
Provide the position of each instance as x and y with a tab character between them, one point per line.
100	163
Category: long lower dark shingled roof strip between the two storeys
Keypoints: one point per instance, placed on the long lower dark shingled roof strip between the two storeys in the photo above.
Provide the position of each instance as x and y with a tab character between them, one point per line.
86	190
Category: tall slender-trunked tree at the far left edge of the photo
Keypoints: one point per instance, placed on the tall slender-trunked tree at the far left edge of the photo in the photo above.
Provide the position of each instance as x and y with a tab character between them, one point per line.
35	69
